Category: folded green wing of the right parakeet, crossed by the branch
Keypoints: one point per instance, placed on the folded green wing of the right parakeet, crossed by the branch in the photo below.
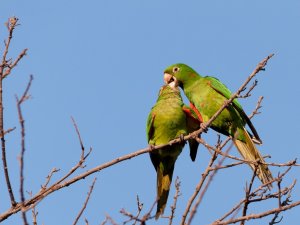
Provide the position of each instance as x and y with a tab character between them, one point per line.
219	87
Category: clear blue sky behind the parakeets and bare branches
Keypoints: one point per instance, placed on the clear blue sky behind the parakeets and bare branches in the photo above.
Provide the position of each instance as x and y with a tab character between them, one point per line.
102	62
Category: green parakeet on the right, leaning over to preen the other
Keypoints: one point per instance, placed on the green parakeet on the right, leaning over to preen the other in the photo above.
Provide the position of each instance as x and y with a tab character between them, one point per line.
207	95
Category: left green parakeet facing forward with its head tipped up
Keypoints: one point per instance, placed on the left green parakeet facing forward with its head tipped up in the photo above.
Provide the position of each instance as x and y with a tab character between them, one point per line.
168	119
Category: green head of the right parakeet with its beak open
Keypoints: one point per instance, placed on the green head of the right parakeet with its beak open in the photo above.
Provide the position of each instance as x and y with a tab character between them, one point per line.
179	74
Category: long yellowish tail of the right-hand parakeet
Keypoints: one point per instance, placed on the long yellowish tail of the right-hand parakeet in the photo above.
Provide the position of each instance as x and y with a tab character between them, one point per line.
250	152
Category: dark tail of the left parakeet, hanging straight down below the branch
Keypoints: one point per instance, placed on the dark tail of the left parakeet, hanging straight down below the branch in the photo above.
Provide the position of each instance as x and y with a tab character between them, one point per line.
164	178
